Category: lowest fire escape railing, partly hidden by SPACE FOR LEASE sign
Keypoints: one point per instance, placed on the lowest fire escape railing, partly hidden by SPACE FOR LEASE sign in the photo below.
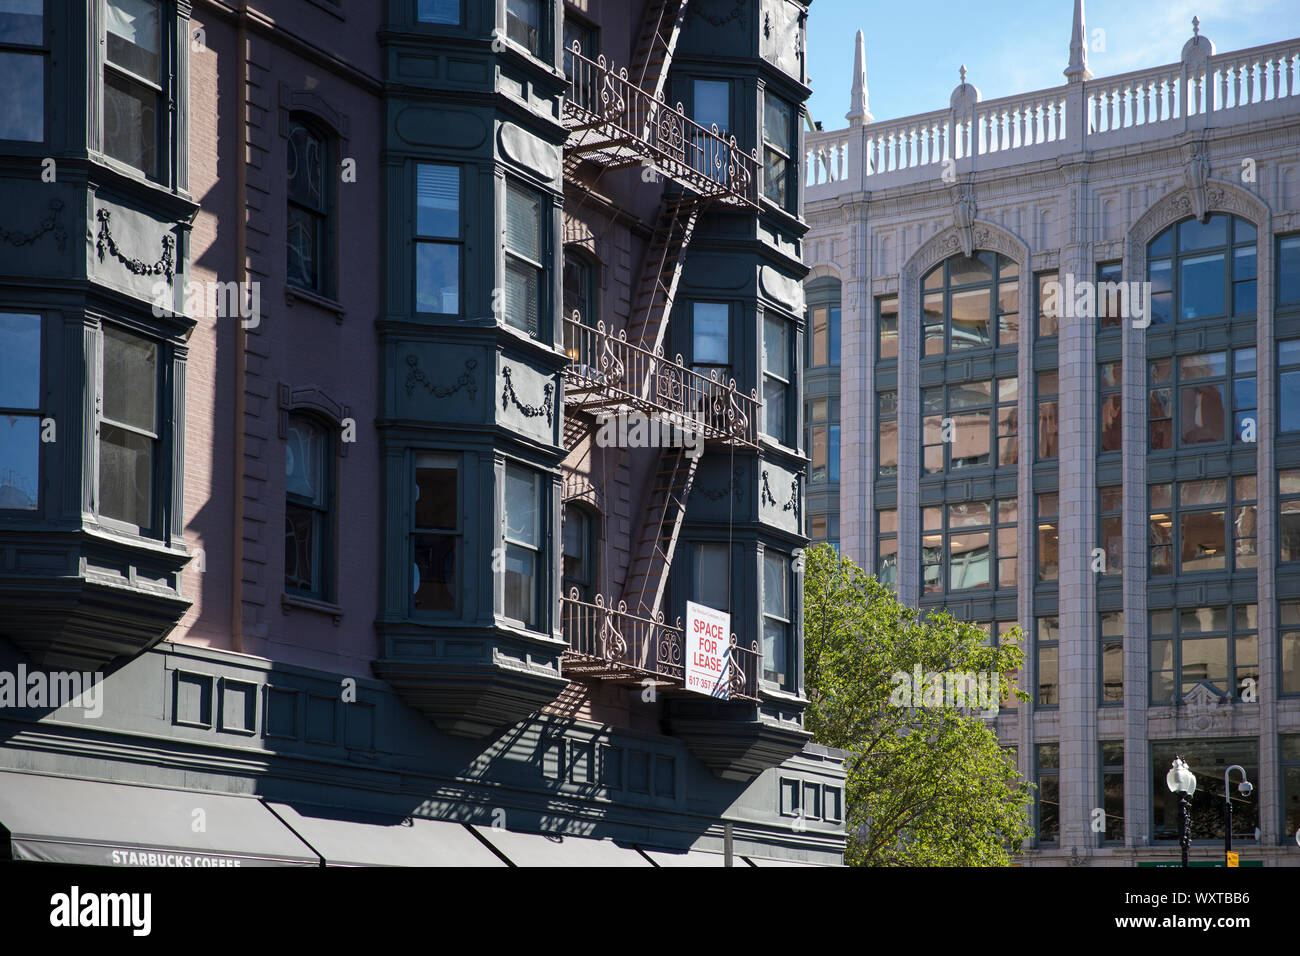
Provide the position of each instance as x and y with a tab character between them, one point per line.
610	643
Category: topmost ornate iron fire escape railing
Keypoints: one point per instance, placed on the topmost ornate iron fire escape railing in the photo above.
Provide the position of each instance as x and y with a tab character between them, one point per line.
616	123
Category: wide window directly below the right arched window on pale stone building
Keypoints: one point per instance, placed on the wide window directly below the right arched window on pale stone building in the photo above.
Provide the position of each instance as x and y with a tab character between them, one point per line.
1190	397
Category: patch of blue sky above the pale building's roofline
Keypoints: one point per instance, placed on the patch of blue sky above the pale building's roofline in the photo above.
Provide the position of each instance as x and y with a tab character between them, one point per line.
1009	46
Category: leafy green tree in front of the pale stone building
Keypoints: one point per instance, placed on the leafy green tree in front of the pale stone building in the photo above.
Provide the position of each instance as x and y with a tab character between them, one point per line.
928	782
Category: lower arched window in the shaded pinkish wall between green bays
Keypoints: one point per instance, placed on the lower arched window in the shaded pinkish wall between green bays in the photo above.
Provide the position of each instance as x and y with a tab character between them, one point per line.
309	509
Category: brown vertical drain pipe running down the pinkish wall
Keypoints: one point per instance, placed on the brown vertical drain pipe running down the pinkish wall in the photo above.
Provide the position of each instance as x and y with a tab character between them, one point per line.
241	334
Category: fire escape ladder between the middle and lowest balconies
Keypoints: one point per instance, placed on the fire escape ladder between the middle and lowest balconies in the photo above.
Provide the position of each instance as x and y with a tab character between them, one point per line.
661	526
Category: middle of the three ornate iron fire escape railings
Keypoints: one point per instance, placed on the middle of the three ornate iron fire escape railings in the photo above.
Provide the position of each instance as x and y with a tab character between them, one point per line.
608	373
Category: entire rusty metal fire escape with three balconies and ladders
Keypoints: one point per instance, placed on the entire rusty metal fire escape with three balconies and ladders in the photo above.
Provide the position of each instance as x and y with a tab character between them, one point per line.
618	123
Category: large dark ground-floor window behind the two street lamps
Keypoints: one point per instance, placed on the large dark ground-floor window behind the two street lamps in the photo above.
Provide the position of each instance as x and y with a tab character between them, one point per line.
1206	759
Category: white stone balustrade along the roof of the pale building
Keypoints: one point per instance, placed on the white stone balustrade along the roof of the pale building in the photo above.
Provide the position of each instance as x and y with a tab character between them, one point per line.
1115	110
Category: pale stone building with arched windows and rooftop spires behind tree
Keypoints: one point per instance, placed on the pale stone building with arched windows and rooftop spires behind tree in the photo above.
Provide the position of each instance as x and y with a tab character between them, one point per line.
1121	482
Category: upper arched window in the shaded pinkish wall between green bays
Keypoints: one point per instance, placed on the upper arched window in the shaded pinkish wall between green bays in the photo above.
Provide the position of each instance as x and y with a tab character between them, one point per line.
310	230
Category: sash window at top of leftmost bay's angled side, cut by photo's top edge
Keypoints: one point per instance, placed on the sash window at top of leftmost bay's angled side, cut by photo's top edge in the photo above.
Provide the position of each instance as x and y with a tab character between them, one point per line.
137	62
